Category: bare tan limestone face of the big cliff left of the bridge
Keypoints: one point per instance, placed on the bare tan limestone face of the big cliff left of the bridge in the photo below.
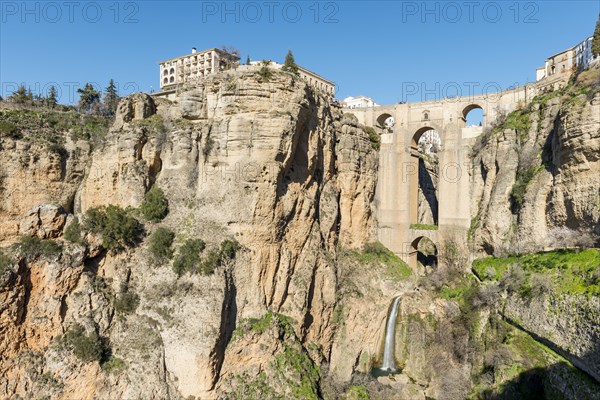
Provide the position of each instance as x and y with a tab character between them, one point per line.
273	165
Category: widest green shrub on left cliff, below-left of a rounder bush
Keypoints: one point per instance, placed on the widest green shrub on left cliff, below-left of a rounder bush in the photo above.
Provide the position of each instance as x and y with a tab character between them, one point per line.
117	228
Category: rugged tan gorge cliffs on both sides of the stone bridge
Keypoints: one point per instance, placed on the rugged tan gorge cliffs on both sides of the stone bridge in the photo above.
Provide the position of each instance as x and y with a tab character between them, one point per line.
256	274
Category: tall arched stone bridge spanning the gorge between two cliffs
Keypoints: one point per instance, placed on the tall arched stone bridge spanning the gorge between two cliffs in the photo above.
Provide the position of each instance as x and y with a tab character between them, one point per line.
400	126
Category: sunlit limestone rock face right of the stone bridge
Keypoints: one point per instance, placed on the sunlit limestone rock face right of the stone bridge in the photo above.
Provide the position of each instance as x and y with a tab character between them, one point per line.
535	185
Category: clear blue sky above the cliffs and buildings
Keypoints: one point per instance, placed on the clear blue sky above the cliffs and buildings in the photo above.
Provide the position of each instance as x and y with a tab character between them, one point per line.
388	50
